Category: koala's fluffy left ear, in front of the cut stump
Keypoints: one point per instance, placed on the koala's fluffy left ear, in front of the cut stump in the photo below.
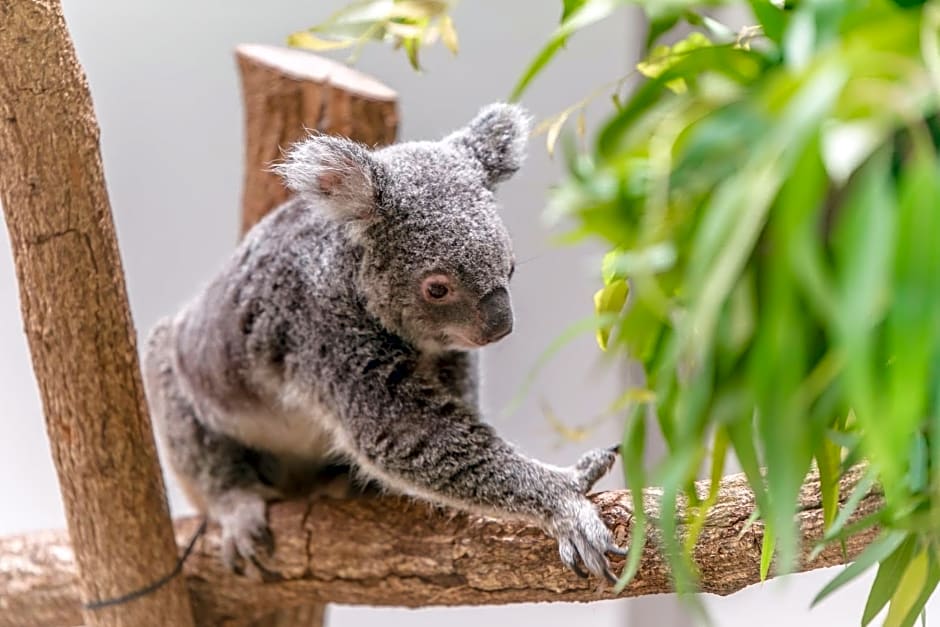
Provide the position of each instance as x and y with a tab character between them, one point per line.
335	173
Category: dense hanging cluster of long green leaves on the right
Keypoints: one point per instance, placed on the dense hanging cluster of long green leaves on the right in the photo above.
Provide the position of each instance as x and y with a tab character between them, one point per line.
771	202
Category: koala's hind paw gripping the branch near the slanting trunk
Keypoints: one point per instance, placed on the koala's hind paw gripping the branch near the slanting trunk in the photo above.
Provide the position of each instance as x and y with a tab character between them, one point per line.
245	532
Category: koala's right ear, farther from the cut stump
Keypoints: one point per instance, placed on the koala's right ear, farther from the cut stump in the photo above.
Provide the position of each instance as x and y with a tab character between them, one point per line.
496	138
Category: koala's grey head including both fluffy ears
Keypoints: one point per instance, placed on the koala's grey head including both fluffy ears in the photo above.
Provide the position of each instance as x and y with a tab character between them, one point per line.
437	258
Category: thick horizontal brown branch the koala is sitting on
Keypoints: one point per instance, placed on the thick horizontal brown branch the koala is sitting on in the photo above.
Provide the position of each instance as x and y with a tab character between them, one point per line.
394	551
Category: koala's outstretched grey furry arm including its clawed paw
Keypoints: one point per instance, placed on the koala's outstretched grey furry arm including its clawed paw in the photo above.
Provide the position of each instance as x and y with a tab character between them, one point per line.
414	434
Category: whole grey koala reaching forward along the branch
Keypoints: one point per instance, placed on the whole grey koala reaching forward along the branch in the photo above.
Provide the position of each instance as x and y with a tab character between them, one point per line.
341	334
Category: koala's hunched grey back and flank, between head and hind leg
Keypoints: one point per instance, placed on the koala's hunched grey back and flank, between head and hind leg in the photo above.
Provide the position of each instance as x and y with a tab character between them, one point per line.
273	310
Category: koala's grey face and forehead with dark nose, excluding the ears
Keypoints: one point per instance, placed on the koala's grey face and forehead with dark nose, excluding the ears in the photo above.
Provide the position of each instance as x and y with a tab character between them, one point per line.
439	260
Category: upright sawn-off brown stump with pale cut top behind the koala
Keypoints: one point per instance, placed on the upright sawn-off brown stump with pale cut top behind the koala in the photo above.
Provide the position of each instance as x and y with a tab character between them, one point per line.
290	92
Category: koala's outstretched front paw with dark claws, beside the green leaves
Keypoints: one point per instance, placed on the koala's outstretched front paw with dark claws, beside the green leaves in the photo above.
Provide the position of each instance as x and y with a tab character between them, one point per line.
584	538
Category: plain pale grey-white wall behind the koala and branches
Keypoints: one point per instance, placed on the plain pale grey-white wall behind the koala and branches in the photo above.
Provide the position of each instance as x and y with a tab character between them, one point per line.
167	98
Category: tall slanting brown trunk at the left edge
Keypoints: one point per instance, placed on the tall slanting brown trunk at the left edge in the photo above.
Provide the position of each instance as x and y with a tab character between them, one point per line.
80	335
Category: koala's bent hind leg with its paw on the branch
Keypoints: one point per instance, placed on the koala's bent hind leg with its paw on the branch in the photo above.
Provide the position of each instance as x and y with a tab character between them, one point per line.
224	480
